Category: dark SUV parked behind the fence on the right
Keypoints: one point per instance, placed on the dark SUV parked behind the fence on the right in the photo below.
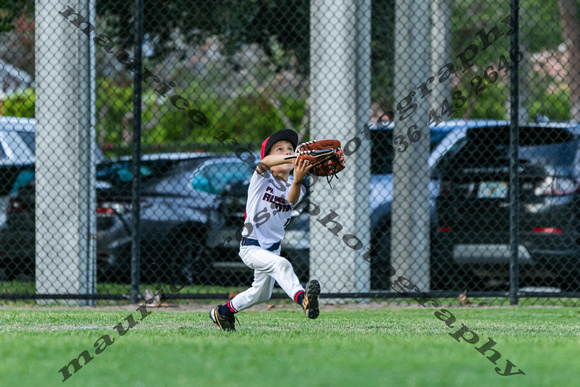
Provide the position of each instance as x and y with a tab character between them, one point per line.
471	243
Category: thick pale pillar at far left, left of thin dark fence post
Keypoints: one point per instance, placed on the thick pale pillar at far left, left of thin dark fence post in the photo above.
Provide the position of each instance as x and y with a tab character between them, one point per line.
65	209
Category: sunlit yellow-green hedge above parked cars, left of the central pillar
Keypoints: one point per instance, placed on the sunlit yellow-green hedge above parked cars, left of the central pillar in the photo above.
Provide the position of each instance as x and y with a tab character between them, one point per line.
247	118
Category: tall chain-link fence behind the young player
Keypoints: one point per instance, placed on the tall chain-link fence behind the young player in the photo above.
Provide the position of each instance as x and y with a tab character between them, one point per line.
127	148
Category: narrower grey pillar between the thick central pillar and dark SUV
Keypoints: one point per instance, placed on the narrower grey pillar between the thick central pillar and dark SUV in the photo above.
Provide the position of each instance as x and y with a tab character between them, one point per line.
410	219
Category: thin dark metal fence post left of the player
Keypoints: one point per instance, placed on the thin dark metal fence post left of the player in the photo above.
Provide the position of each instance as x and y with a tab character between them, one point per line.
136	194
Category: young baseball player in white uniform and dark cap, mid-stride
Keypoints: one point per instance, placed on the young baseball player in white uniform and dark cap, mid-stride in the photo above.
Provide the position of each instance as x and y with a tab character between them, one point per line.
272	195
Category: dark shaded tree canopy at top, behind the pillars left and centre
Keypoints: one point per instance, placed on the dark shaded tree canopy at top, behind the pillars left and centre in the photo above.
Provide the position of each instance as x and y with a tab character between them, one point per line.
280	28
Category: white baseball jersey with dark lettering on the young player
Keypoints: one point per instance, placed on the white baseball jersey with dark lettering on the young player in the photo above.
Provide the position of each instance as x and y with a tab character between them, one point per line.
267	210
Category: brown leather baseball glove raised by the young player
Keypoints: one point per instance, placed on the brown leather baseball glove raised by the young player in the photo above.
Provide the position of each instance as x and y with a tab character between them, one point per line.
326	156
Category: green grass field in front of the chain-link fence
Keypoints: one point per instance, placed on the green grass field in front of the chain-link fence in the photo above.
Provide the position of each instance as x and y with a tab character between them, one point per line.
343	347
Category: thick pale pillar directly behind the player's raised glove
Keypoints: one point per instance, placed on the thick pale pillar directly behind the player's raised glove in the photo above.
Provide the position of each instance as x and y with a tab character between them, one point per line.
340	92
